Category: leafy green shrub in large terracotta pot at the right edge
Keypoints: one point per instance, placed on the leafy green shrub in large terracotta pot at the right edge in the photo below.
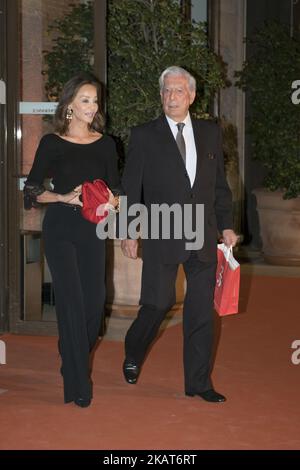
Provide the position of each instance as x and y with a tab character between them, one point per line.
274	127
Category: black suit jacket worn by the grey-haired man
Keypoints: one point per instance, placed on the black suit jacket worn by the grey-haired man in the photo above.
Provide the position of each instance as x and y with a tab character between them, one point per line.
155	173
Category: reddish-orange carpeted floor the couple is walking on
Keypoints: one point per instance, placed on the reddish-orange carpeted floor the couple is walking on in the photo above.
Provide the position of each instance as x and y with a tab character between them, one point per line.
253	369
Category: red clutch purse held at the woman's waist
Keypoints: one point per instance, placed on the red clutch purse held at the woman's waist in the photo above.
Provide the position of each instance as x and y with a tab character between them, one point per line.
93	195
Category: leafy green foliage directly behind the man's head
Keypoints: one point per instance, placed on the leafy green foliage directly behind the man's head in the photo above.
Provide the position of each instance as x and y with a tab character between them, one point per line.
144	38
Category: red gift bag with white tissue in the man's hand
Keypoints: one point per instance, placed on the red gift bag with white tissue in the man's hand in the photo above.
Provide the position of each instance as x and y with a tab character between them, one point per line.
226	298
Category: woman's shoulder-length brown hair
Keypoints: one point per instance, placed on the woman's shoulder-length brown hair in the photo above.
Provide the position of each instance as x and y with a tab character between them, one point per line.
70	90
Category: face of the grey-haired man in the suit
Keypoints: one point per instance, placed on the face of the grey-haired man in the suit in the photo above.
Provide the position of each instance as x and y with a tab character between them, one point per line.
176	97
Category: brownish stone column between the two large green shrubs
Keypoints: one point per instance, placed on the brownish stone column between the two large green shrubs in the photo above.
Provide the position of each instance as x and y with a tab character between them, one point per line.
227	28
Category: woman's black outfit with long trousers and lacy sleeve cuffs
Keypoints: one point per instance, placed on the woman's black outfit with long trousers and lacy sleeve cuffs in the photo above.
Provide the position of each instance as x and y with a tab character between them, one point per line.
75	255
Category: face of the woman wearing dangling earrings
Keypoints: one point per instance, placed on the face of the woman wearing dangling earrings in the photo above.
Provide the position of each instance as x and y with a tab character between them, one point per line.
85	104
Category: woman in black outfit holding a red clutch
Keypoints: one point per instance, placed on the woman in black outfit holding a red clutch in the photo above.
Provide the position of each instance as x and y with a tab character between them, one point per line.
76	152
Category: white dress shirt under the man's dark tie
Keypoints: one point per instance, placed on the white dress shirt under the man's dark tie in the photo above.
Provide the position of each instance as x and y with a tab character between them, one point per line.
190	147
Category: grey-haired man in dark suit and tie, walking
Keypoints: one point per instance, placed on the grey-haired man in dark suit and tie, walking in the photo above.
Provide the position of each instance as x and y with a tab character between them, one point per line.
178	160
